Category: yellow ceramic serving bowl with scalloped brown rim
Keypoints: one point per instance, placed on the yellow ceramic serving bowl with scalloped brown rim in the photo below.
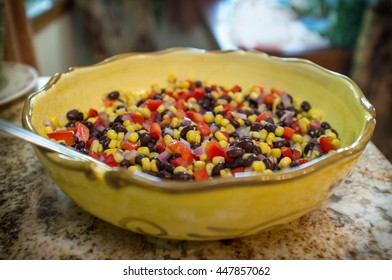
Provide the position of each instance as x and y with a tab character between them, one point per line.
213	209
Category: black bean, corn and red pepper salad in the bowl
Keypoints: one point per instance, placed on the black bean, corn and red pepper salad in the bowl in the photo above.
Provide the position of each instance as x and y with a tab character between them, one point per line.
191	130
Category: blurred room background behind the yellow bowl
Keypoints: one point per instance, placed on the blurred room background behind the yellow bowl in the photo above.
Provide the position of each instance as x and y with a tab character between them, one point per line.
352	37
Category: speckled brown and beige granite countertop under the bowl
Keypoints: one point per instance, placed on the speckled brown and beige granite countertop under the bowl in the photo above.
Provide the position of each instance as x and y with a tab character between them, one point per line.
38	221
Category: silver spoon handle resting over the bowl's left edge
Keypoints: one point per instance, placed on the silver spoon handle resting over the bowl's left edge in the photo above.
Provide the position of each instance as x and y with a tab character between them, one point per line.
46	143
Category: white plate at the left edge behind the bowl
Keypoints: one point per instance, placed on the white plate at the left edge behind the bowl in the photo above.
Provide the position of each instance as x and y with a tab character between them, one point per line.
17	79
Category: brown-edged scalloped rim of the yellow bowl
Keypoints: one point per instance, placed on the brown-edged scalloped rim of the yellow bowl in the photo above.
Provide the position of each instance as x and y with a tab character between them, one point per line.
249	178
